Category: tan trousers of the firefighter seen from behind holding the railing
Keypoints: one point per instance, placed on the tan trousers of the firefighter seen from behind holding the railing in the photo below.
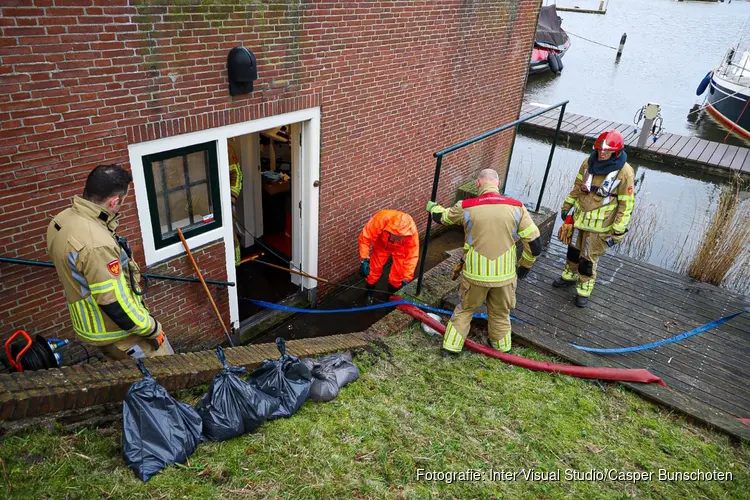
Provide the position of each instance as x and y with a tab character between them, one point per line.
500	300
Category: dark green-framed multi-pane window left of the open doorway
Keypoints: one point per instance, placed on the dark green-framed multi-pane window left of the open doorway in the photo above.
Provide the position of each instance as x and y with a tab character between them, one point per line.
183	192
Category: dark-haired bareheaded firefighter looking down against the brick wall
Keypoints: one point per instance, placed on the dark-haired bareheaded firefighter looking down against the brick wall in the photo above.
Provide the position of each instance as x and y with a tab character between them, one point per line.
98	276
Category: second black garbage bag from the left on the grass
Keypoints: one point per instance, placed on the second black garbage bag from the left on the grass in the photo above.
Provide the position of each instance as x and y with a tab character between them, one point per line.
232	407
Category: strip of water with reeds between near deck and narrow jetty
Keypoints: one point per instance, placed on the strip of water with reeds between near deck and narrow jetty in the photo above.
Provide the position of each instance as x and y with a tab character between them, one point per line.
673	207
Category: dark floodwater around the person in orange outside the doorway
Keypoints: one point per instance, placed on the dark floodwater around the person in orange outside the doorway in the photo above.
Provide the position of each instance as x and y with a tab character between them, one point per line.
315	325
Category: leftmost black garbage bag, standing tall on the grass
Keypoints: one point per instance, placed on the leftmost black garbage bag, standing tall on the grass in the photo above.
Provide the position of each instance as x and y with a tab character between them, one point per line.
157	429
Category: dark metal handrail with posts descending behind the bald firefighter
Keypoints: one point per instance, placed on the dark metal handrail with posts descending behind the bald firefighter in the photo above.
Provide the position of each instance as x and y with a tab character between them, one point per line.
439	155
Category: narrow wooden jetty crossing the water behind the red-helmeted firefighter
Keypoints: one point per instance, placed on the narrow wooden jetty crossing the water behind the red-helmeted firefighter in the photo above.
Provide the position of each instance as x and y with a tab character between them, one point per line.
672	149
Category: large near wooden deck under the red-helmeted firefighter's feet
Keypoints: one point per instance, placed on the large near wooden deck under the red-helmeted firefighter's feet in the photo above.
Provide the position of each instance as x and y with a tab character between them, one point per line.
636	303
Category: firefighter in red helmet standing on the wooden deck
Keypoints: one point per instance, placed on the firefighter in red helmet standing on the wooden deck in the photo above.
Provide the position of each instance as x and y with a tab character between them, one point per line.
602	200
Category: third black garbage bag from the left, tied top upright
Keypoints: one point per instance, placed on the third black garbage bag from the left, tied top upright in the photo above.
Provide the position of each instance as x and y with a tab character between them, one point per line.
286	378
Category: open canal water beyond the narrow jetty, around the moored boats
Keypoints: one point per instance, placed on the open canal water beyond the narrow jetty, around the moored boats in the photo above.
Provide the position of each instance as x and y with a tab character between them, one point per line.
669	49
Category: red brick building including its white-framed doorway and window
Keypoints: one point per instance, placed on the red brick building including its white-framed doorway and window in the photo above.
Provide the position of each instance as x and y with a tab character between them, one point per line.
366	91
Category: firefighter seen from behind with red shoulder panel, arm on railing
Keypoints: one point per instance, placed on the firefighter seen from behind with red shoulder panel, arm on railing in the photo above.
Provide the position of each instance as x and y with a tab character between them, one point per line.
492	225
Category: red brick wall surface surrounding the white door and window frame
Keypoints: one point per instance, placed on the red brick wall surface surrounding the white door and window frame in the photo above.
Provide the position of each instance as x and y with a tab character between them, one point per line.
396	81
